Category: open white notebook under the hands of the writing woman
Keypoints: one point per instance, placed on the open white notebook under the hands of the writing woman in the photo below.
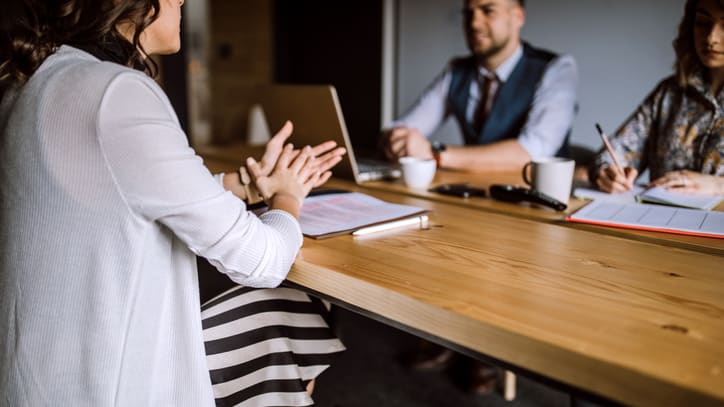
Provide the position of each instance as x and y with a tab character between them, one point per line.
656	195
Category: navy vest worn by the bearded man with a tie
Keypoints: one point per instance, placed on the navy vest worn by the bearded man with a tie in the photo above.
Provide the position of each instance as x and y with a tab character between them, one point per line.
513	99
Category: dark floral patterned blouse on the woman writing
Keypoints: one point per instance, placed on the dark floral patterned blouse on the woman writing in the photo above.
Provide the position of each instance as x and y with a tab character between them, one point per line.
673	129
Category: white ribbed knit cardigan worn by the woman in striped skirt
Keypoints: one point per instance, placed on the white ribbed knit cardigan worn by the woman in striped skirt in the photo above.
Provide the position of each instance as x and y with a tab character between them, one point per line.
103	206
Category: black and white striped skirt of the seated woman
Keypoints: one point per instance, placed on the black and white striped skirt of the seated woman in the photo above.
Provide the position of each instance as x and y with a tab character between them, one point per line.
263	346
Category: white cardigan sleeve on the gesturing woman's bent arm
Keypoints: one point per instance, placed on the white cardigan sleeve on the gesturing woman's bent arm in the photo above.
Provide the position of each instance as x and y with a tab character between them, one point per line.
163	181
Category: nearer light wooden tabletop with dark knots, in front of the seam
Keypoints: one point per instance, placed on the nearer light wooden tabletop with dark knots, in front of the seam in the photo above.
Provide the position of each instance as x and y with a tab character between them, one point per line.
636	322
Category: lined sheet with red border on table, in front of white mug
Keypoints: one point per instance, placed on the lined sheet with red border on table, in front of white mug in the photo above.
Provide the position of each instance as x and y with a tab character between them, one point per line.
651	217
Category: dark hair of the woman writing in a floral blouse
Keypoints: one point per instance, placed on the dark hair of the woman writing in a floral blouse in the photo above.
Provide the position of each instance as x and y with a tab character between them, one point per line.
687	61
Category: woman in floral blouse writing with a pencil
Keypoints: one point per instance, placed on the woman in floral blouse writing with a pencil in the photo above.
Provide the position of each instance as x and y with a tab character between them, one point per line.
678	131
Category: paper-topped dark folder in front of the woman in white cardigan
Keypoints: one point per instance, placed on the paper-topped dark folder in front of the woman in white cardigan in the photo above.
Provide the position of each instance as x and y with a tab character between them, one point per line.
335	214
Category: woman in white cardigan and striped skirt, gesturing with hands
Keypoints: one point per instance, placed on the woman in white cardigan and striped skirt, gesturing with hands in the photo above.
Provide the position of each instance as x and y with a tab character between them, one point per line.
104	207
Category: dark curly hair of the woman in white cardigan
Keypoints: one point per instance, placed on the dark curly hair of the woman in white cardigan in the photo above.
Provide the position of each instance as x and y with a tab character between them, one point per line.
32	30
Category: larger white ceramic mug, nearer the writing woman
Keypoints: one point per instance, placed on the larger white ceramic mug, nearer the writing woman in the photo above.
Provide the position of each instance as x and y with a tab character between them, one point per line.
552	176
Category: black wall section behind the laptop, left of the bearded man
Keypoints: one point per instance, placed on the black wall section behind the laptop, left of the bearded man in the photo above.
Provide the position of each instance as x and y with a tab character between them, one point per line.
338	43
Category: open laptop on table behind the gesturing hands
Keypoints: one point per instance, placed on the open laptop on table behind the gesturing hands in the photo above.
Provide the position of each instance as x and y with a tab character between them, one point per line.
317	117
